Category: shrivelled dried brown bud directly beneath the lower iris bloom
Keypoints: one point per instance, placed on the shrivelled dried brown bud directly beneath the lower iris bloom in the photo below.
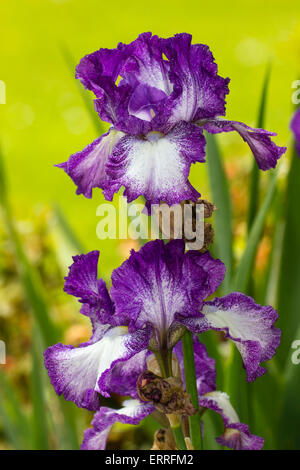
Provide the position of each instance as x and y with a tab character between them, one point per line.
166	394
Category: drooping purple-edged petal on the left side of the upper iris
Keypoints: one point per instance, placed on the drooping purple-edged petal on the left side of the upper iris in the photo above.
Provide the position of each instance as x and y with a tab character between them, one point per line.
87	168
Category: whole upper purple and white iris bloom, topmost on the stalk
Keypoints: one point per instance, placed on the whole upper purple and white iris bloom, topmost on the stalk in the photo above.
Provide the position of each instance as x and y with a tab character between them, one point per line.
158	95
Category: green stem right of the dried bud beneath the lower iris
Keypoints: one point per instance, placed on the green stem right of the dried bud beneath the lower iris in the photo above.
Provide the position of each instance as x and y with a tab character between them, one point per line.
191	388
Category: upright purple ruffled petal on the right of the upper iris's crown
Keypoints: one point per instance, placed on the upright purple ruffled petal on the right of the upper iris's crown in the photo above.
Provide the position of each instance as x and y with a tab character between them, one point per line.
199	92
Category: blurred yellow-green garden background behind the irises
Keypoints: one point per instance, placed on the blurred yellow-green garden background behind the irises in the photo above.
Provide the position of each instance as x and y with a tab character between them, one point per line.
47	117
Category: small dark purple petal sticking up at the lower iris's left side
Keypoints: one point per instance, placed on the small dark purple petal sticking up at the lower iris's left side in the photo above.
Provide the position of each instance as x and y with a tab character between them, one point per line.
82	282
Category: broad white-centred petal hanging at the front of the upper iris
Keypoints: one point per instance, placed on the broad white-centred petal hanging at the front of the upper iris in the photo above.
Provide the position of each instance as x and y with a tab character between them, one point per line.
157	166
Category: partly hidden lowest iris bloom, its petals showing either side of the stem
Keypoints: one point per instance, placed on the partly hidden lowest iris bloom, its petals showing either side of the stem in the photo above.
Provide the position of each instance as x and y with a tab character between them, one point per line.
236	434
